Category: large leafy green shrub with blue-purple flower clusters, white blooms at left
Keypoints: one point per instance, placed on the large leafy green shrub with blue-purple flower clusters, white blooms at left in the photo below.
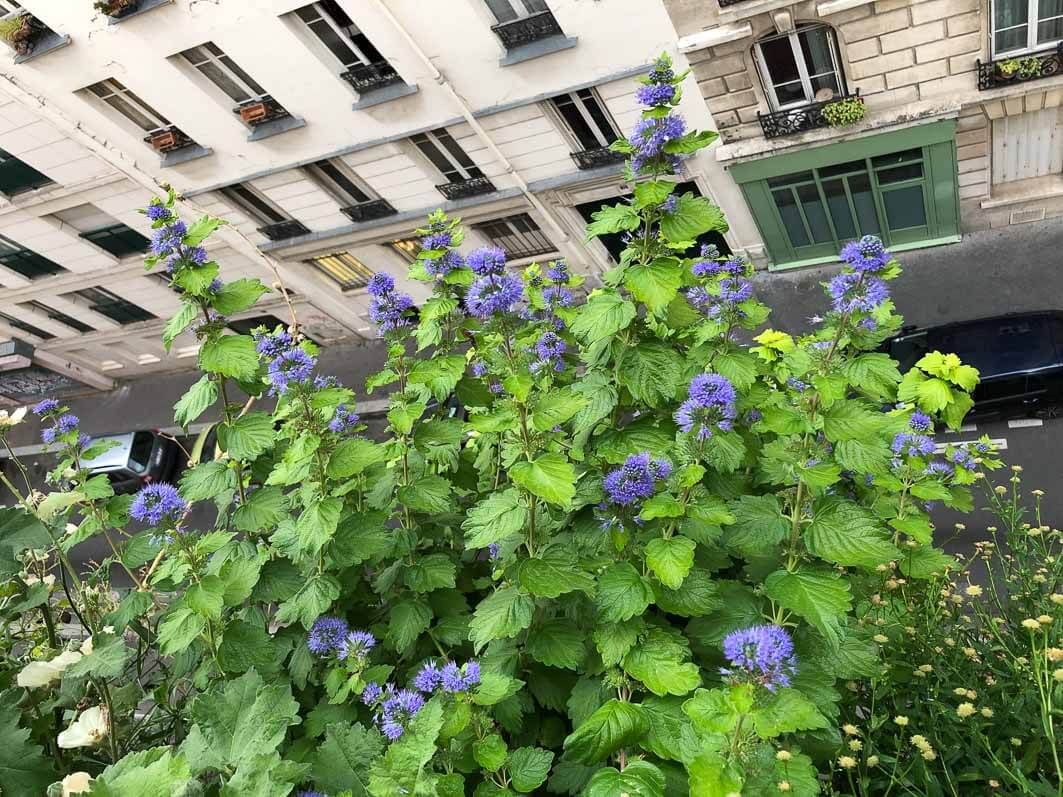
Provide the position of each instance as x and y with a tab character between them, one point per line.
606	548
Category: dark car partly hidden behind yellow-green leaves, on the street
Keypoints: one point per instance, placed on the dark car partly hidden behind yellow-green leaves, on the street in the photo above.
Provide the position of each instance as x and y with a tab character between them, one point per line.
1020	359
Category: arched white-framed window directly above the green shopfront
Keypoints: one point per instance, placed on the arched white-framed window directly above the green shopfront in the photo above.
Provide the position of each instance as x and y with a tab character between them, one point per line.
801	67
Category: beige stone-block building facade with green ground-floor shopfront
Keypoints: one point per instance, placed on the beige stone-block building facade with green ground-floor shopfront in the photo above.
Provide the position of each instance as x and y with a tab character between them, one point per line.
917	121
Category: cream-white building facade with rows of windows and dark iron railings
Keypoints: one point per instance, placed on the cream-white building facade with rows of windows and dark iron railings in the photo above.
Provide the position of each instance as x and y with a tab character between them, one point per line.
325	132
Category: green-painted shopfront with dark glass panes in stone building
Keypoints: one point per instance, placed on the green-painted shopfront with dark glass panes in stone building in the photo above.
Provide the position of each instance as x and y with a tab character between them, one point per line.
900	186
